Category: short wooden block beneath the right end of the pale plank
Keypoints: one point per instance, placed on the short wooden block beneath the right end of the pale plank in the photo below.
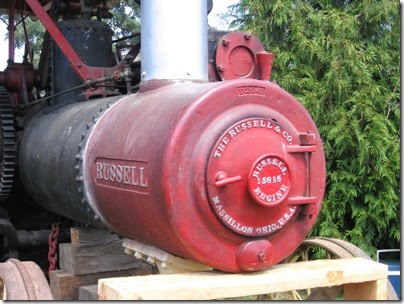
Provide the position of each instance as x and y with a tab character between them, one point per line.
374	290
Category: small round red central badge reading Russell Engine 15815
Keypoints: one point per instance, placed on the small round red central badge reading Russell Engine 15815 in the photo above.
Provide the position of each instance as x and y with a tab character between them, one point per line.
268	180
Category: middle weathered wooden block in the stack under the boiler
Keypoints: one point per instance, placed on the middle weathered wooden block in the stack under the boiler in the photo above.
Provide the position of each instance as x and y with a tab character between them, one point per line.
86	260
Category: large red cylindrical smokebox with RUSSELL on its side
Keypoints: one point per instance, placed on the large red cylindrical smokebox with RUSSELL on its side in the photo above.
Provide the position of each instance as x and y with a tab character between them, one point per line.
175	168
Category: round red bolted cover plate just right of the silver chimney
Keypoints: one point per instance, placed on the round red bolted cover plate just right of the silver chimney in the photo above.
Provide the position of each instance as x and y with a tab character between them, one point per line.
236	56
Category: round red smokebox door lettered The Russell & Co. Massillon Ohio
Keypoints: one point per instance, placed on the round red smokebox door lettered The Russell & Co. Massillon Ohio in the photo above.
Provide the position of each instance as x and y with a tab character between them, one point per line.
248	177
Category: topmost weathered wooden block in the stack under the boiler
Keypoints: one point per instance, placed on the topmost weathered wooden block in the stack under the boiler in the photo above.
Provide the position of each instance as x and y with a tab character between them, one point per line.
87	237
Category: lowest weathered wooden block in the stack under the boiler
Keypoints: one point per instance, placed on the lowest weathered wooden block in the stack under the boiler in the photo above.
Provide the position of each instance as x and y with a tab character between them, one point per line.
65	286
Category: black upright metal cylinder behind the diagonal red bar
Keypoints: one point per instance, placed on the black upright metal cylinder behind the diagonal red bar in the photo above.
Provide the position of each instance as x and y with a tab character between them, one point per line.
92	41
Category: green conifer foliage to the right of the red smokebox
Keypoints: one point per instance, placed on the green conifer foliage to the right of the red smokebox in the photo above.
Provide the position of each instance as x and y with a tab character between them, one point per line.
341	60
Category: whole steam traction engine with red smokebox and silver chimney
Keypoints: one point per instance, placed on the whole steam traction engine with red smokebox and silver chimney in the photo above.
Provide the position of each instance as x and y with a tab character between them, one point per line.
192	149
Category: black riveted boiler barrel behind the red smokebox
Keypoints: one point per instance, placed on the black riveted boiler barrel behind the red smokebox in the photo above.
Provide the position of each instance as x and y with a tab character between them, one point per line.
50	158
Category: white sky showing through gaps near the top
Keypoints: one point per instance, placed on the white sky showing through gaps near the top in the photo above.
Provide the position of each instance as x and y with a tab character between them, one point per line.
219	7
